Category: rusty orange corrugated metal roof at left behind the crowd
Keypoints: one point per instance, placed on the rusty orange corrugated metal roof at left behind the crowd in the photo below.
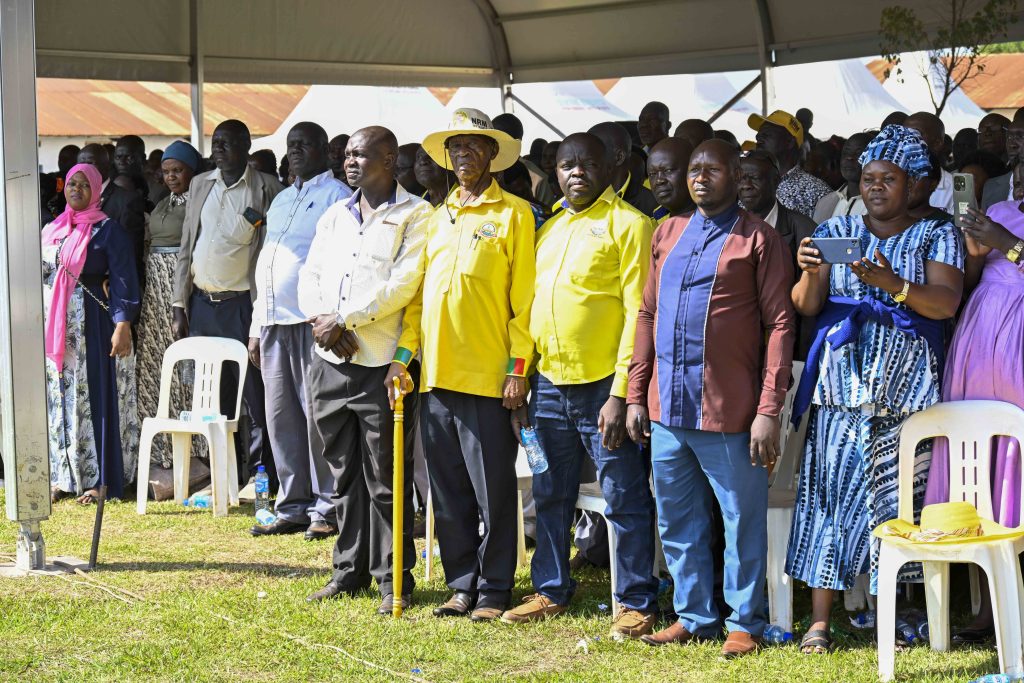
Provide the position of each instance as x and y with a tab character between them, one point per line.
81	108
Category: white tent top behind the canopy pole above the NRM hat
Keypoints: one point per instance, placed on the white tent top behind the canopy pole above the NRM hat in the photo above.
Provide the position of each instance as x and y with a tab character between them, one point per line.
570	107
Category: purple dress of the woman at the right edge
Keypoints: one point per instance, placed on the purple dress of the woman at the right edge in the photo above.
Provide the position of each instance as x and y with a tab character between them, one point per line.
987	362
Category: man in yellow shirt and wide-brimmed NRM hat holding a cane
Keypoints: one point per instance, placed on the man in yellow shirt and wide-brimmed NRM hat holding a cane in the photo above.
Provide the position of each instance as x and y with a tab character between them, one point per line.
472	325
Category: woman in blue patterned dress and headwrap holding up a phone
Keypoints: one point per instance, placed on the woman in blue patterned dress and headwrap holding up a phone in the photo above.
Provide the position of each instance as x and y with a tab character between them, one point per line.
877	359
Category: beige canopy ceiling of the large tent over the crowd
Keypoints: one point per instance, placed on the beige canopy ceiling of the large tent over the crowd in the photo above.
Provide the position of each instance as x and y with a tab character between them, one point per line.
449	42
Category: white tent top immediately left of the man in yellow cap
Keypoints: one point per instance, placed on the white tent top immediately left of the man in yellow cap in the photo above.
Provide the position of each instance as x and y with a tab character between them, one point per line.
688	97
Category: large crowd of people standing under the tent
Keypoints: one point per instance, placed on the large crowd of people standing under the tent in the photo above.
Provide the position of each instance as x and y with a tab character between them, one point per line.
636	302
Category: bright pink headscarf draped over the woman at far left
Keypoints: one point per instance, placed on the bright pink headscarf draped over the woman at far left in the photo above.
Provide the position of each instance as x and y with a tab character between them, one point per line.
75	228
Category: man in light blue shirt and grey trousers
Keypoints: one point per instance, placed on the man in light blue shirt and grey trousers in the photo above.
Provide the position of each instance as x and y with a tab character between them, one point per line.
281	339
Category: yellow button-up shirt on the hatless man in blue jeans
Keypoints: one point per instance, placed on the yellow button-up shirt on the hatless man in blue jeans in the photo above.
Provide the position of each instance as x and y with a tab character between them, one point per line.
591	271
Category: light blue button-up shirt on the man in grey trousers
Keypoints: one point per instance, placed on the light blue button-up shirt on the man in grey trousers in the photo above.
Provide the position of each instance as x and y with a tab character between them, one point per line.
291	225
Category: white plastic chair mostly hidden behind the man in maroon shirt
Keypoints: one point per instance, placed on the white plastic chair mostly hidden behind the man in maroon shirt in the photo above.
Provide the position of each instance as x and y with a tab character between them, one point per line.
782	498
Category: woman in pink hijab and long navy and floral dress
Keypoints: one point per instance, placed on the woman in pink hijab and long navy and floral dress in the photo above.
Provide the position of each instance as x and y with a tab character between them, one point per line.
91	297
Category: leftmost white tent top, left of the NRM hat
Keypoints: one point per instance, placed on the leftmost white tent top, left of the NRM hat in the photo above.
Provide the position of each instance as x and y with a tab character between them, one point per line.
409	113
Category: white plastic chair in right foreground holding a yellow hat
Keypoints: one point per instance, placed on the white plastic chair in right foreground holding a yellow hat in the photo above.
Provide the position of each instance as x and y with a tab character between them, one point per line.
970	426
